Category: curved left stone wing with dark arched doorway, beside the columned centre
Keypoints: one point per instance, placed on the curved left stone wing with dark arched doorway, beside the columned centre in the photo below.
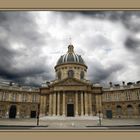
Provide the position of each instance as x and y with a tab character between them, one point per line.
17	102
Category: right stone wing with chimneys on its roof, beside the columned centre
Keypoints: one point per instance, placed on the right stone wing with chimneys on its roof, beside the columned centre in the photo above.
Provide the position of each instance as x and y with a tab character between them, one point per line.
121	102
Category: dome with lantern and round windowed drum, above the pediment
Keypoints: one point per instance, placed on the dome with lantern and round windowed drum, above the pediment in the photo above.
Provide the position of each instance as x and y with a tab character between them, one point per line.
71	65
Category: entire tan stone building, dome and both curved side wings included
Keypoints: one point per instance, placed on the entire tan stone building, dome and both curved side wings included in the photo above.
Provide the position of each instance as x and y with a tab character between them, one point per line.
70	95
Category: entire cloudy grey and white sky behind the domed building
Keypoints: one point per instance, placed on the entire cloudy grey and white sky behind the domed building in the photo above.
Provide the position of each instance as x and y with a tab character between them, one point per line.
32	42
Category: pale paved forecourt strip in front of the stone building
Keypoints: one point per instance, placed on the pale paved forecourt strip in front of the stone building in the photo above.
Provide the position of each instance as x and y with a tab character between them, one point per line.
52	124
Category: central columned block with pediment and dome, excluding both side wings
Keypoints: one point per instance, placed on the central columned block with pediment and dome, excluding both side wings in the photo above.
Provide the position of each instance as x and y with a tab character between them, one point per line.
71	94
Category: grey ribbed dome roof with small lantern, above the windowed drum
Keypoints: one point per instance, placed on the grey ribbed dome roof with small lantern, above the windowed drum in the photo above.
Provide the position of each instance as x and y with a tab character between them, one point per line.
70	57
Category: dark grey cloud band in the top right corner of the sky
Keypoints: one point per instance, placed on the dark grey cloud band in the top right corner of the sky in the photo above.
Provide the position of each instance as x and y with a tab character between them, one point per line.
130	19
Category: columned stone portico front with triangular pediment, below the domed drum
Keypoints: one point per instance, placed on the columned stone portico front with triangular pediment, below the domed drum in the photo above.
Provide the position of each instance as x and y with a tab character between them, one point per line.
70	97
